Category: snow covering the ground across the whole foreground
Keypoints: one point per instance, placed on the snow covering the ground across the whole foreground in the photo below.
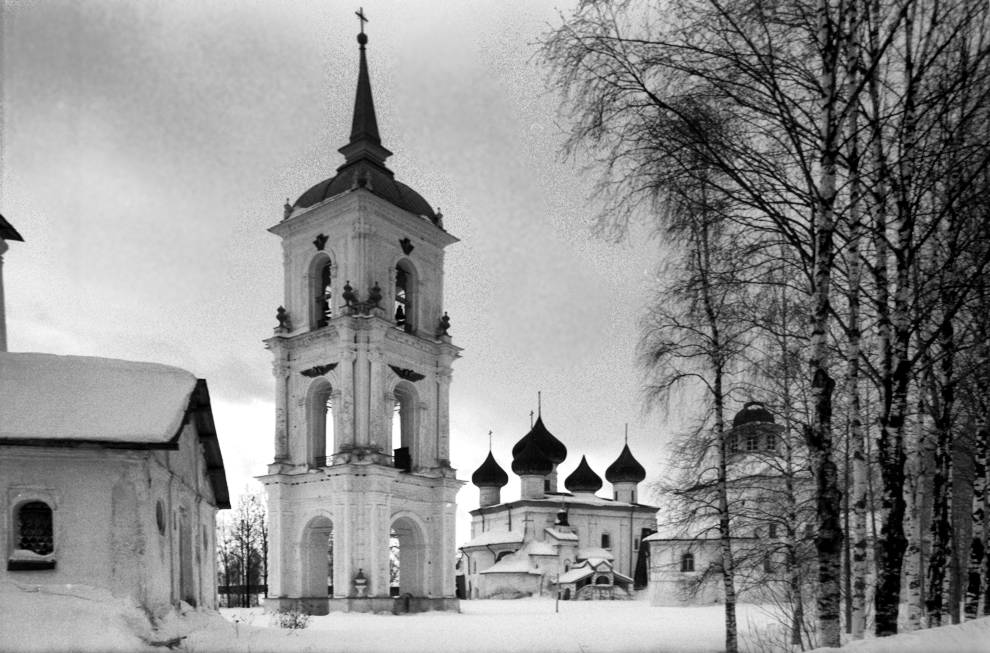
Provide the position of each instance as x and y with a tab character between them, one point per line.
79	618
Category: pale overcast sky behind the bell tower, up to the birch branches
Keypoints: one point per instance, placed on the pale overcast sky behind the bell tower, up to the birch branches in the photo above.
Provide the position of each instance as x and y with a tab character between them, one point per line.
148	146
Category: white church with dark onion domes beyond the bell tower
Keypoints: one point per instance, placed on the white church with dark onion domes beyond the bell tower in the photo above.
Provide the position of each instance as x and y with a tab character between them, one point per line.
583	545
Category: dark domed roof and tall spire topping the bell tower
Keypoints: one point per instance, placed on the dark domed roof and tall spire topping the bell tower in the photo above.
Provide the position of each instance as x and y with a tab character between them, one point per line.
364	158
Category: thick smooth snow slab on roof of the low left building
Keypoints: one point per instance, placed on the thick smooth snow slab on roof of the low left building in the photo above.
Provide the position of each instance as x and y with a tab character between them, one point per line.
49	397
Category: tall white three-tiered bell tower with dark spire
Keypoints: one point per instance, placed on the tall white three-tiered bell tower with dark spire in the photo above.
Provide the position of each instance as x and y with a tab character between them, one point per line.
360	490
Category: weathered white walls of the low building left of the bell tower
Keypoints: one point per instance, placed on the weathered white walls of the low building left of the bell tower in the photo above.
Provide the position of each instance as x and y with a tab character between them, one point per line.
105	519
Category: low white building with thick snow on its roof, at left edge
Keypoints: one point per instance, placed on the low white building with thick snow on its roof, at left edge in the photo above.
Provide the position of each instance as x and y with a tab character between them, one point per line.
110	476
